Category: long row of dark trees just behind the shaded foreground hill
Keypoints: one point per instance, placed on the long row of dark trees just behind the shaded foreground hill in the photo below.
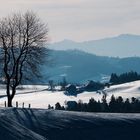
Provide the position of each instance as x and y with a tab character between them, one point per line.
116	105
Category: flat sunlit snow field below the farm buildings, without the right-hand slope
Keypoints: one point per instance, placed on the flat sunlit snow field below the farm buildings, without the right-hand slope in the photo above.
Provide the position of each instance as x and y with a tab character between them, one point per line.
38	97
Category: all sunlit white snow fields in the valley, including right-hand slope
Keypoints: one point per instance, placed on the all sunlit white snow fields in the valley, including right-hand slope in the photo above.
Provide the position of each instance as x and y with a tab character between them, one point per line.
39	97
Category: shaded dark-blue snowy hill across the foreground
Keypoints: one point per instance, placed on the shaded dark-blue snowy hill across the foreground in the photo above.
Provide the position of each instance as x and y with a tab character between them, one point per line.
39	124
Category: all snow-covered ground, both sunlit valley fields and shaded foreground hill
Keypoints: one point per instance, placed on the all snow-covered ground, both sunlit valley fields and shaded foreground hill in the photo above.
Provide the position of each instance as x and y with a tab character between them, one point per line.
42	124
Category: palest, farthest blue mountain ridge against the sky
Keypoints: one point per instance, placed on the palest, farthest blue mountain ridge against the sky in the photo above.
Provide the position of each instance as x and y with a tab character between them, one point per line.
125	45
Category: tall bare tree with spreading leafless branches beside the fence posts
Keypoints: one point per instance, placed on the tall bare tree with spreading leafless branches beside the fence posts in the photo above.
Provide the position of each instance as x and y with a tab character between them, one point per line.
22	38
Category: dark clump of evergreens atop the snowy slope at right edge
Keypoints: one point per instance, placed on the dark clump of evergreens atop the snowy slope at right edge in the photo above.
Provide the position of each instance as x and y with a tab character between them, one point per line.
124	78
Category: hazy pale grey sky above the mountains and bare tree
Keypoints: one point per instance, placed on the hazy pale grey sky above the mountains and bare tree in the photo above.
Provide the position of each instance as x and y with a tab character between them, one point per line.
81	20
